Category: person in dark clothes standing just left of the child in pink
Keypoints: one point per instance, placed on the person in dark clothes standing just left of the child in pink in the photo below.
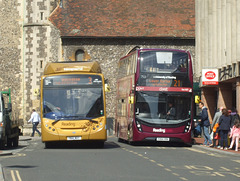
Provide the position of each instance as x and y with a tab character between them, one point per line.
224	128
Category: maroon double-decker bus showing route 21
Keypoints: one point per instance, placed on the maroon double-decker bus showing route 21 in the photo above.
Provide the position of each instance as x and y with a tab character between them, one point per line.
154	96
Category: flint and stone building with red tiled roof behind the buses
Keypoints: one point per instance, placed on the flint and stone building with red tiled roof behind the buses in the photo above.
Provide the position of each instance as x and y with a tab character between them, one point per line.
53	30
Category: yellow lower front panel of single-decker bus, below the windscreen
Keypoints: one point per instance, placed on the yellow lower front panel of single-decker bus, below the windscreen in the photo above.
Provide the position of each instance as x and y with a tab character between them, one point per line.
74	130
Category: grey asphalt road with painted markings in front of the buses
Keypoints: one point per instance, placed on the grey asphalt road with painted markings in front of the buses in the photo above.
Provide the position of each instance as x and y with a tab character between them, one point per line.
118	162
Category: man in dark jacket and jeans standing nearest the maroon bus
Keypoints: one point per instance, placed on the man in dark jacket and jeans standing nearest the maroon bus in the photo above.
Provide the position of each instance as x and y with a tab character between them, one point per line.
205	125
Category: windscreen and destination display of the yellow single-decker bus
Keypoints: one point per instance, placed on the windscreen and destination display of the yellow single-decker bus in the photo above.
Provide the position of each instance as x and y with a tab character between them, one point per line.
72	101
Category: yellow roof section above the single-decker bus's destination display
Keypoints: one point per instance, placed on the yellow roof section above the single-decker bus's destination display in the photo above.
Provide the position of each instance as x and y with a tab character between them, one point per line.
68	67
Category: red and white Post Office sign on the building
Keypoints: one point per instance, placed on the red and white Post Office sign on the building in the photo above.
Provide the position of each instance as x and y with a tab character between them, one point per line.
210	76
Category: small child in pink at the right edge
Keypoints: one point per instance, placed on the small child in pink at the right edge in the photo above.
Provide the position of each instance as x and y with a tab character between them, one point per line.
235	134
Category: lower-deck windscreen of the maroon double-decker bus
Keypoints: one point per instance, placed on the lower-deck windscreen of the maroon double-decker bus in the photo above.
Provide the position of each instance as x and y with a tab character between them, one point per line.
161	108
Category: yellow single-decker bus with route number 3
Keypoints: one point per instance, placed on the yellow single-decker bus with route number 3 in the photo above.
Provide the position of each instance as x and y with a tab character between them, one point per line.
73	103
